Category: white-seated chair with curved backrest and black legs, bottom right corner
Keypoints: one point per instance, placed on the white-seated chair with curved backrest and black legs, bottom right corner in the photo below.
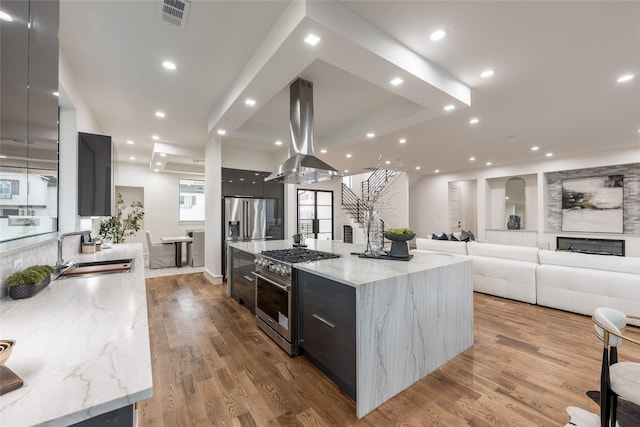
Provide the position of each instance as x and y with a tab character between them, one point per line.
617	379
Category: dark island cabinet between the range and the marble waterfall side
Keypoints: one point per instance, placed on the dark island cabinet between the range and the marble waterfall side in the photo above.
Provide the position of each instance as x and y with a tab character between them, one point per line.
327	328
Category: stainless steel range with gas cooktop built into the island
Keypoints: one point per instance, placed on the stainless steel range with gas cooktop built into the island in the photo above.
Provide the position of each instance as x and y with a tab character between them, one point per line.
276	312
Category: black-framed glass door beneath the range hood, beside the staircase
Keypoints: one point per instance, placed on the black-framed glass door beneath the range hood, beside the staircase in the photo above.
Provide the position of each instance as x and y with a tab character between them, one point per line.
315	214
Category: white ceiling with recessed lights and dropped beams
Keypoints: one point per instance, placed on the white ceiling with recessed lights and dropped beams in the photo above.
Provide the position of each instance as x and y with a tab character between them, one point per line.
555	85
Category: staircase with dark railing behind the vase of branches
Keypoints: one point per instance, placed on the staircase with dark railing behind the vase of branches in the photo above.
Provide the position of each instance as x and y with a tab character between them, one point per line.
355	206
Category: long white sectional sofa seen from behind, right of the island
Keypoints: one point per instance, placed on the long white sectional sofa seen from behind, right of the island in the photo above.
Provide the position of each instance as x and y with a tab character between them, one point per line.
564	280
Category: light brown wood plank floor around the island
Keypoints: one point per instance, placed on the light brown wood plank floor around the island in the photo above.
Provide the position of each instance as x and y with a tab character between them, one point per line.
213	367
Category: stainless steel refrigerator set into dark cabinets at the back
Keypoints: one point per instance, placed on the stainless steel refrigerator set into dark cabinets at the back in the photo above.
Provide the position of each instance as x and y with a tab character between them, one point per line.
250	219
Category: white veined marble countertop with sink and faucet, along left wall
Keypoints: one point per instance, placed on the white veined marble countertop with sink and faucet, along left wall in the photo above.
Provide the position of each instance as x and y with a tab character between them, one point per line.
82	345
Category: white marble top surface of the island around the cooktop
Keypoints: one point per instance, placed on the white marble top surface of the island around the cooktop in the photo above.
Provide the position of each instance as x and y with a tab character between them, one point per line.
350	269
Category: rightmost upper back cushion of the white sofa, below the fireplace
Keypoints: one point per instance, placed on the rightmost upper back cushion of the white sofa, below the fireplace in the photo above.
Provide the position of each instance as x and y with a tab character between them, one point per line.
629	265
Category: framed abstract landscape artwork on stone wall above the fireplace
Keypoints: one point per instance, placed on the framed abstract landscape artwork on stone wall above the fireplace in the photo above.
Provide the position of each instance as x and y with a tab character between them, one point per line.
593	204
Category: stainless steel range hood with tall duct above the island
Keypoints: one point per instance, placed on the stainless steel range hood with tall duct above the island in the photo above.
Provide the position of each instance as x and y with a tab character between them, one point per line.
302	166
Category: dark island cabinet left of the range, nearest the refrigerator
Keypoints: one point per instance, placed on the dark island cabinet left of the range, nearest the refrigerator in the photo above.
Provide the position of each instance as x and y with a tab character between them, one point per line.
241	282
